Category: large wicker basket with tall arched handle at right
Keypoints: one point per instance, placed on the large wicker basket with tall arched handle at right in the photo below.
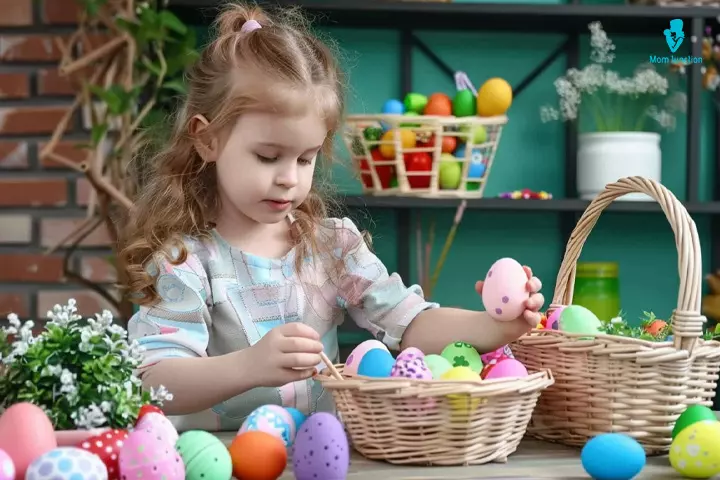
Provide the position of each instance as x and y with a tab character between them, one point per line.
618	384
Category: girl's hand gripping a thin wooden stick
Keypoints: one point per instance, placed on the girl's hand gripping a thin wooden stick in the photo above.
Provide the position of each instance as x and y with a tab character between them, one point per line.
286	354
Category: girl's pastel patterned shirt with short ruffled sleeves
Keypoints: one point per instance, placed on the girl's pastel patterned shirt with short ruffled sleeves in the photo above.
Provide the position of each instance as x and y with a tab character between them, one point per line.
221	299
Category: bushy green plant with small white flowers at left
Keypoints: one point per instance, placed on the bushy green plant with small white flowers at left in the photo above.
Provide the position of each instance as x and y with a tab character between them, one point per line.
81	373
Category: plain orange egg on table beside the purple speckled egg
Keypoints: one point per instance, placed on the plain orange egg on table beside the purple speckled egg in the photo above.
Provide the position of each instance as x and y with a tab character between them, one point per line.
257	455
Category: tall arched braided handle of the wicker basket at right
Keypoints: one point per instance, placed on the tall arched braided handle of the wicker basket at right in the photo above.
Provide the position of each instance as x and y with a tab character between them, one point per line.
686	322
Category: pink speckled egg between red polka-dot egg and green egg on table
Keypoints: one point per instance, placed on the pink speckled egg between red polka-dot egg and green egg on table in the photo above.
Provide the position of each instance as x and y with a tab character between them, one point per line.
144	456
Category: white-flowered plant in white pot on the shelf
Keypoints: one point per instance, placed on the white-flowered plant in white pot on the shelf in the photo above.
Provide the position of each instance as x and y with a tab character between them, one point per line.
626	115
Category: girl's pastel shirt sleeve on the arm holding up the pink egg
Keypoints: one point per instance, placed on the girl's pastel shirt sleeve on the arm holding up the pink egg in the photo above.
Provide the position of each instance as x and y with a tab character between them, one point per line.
377	301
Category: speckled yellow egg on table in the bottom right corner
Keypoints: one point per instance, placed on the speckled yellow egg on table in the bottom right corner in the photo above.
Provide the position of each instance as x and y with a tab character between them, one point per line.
695	452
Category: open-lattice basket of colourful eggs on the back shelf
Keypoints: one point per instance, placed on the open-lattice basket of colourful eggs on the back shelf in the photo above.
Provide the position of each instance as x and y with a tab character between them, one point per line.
389	176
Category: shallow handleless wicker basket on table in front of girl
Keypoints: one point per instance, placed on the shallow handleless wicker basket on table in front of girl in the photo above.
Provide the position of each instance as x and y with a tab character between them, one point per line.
436	422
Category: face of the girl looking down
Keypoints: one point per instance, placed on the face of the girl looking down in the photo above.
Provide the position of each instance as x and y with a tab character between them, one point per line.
266	166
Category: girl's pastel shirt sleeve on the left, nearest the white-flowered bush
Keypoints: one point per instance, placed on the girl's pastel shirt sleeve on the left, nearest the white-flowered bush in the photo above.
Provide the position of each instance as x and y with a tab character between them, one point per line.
176	326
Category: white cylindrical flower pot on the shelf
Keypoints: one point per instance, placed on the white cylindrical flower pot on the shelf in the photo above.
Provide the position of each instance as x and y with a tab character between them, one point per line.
606	157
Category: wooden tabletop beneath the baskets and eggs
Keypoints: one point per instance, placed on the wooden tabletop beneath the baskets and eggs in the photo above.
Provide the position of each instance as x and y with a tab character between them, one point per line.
533	460
